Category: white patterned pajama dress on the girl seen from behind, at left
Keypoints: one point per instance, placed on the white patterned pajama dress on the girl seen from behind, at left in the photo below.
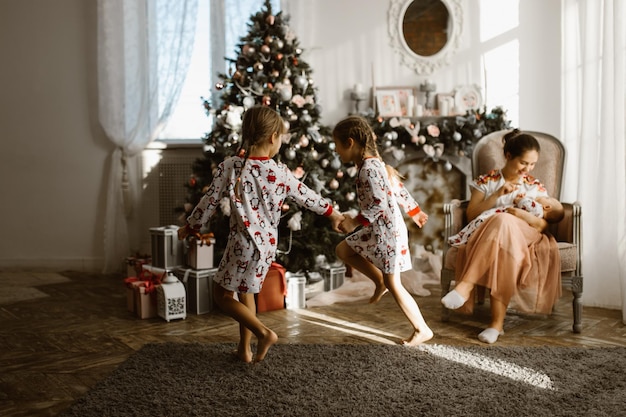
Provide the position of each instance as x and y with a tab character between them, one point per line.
254	218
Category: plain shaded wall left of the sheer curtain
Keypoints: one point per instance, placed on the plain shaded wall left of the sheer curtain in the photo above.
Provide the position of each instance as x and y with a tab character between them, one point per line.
52	153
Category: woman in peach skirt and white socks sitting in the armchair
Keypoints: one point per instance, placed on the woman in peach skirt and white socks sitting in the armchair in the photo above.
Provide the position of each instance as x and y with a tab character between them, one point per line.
507	253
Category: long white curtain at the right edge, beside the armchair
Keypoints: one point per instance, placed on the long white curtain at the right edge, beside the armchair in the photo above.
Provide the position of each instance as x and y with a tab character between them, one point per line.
594	113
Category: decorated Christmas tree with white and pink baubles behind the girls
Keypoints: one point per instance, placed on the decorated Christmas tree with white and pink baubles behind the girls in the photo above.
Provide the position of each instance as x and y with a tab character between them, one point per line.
269	70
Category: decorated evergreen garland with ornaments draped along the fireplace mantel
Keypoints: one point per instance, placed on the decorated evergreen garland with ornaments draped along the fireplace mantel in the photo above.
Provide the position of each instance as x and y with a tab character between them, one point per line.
437	137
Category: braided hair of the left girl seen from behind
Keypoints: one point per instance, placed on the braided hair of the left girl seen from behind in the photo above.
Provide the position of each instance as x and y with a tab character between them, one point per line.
258	125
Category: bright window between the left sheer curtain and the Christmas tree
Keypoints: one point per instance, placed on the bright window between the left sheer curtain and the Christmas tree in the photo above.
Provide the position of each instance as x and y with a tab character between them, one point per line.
189	120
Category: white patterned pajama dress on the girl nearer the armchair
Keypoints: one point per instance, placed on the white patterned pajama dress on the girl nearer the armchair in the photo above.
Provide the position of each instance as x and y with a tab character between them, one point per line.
383	239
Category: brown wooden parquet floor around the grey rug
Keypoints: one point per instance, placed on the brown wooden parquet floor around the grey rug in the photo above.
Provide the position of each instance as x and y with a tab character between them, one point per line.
62	333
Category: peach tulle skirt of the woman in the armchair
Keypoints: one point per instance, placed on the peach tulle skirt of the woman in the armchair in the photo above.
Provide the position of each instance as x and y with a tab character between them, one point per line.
520	266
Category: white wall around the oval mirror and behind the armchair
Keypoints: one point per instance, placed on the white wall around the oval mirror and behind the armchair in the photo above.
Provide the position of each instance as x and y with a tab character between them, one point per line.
346	41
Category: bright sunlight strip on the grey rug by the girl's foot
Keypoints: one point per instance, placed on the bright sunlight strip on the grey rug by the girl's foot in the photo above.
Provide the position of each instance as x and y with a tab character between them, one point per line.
493	365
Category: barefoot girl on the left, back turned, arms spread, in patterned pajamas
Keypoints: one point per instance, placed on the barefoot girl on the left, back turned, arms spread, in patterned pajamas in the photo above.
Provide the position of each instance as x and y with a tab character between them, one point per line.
256	186
